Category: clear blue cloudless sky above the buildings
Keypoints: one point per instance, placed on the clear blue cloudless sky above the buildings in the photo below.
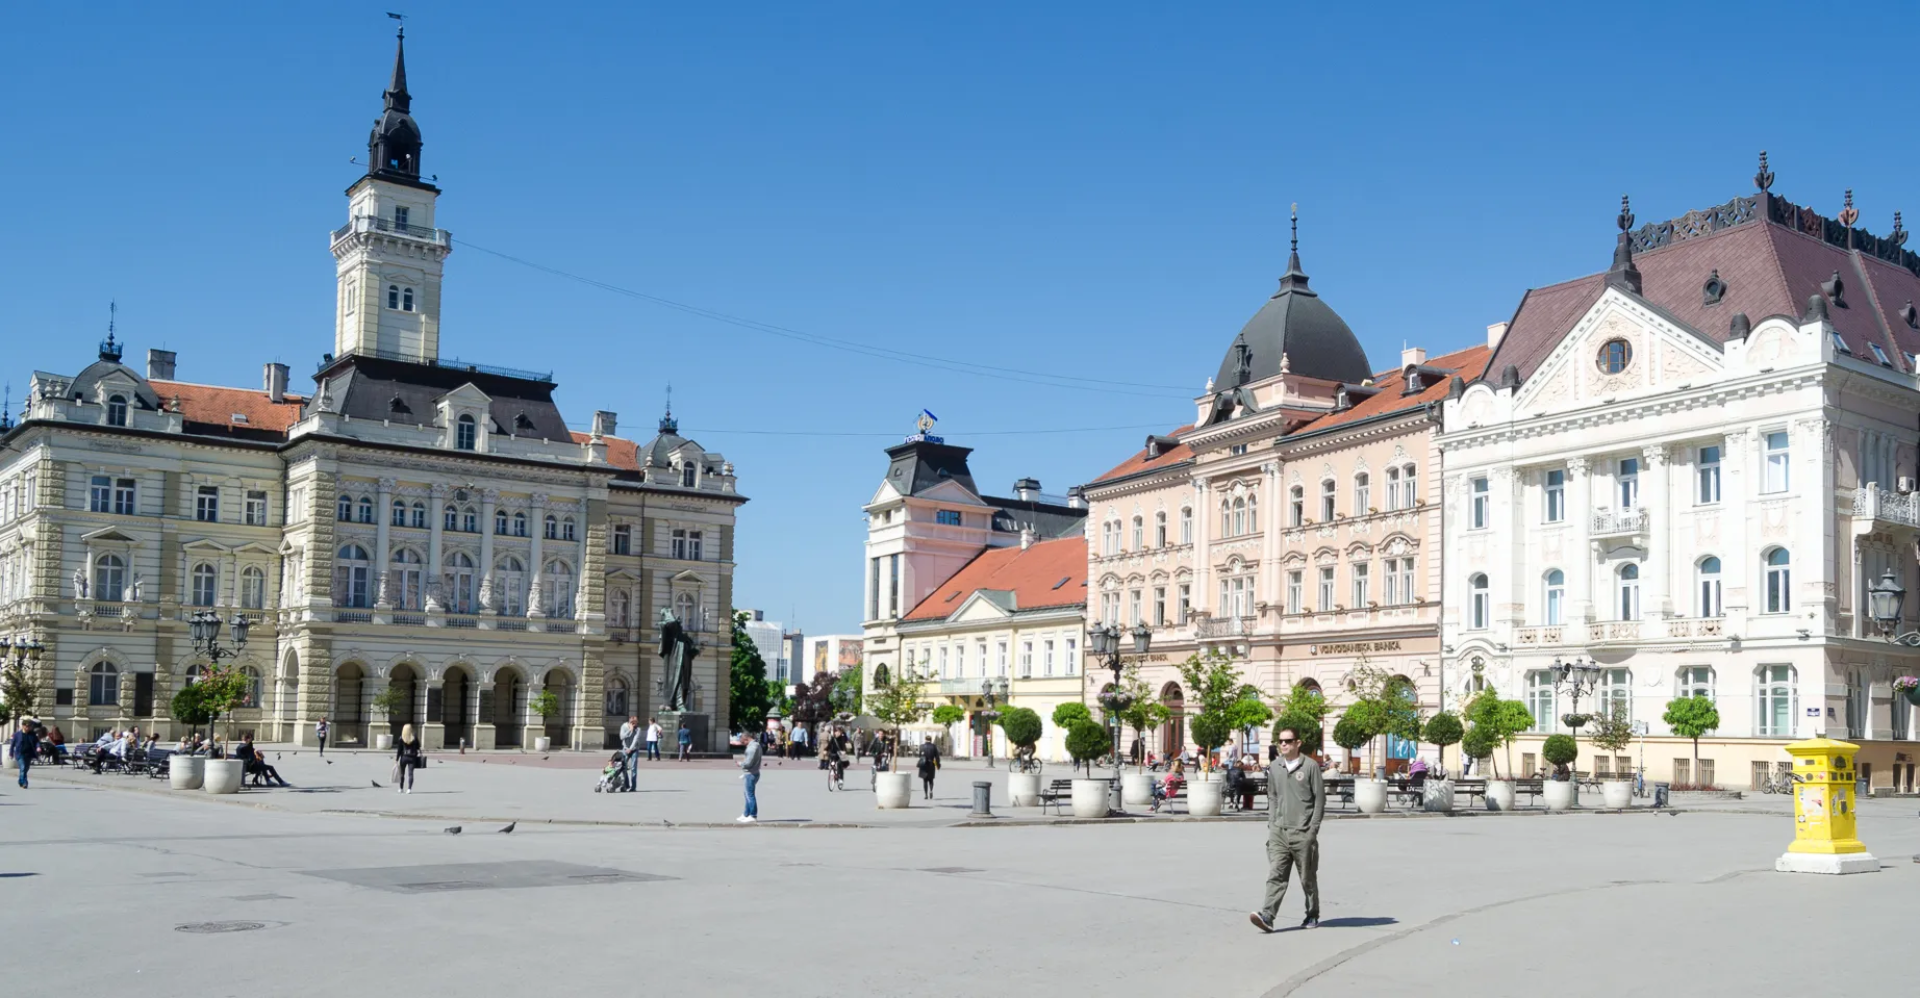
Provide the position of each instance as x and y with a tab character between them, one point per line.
1082	189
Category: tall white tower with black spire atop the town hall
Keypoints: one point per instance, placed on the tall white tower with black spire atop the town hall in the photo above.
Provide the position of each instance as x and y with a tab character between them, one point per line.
389	258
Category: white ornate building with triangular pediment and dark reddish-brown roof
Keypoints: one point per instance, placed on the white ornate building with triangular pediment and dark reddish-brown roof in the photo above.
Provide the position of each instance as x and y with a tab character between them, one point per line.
1687	469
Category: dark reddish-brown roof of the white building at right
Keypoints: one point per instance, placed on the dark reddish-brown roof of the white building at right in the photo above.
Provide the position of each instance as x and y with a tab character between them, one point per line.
1769	270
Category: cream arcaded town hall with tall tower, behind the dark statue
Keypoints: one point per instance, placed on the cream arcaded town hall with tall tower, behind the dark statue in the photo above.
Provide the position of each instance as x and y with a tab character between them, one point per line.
414	521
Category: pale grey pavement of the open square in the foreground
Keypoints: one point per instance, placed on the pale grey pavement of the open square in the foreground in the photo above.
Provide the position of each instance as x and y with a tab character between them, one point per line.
99	884
